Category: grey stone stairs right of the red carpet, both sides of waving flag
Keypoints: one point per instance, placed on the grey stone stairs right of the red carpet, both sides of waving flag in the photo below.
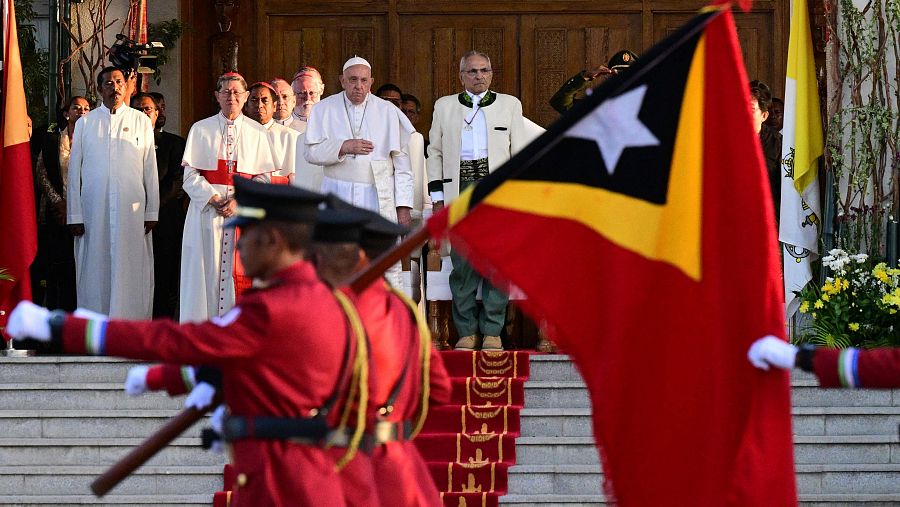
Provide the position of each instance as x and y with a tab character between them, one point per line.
846	443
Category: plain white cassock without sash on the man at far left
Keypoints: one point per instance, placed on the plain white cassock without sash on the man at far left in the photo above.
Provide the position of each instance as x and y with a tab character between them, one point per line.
113	189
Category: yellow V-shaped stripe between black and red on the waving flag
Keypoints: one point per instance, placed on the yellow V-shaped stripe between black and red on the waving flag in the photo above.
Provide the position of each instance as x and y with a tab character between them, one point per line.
668	233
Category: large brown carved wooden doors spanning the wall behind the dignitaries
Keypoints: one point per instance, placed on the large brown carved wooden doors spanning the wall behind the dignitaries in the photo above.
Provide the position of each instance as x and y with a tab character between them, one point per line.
534	45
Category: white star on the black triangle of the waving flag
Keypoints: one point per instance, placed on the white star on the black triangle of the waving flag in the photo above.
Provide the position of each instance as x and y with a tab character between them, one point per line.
614	126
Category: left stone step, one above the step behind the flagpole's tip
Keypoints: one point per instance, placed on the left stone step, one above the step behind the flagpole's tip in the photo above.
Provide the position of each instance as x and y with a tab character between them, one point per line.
100	451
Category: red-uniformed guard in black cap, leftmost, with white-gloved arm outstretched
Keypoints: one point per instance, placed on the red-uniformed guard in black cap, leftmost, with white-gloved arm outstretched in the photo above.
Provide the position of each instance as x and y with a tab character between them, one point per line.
282	404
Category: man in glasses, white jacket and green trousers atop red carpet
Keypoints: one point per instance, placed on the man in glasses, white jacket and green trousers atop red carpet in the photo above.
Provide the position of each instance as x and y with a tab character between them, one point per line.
472	134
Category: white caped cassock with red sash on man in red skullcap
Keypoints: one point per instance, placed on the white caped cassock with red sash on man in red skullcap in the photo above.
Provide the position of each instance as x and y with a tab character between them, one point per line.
217	151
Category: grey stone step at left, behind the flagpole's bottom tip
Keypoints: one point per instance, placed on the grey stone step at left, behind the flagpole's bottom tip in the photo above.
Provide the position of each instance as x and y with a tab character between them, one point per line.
150	480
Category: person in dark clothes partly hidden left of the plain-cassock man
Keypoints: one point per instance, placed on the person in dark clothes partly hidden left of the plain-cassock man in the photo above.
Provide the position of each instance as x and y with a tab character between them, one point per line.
56	250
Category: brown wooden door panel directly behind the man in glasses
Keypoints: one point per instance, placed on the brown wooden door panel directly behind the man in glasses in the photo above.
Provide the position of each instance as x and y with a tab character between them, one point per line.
431	46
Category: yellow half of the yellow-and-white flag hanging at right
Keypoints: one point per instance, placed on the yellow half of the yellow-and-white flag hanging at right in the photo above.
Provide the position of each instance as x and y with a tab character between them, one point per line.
808	143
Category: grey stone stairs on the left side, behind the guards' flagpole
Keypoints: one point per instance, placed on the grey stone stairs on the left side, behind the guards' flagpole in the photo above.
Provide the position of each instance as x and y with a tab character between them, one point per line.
64	420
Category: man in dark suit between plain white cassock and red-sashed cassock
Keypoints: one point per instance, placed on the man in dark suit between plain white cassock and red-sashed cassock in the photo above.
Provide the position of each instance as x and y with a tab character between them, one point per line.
172	210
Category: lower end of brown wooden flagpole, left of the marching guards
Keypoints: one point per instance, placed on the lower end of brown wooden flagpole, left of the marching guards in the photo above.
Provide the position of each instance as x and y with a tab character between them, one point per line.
148	448
